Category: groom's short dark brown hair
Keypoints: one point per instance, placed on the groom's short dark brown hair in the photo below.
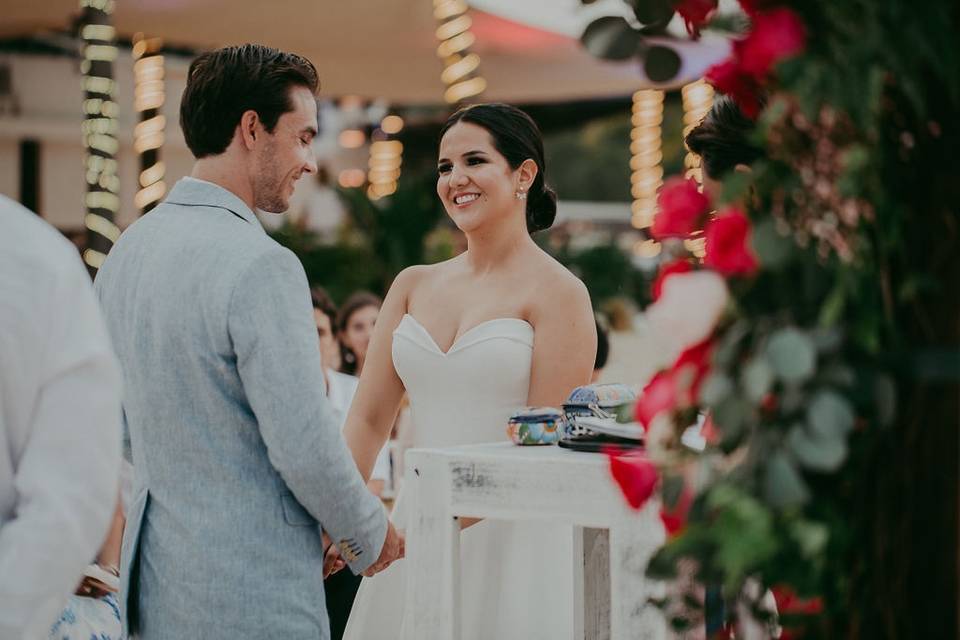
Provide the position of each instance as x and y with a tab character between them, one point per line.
223	84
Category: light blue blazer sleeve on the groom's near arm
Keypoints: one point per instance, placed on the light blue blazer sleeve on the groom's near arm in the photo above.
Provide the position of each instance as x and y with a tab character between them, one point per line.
274	338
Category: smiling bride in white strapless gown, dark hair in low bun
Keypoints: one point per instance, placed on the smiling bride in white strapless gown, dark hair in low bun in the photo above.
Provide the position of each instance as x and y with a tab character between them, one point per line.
472	339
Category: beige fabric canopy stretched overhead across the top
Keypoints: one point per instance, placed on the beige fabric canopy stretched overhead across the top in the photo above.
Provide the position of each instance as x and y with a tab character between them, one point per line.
384	48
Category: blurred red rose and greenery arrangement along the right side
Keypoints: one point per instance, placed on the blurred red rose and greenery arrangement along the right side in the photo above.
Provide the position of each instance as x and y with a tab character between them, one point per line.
819	332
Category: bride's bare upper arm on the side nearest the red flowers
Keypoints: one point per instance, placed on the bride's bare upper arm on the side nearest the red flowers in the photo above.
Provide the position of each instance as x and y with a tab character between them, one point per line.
564	342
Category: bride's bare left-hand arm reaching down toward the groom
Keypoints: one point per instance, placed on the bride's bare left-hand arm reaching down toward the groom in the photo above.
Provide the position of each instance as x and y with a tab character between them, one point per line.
380	391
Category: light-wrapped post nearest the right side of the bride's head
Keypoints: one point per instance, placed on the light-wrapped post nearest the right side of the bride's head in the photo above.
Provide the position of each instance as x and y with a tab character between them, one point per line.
646	171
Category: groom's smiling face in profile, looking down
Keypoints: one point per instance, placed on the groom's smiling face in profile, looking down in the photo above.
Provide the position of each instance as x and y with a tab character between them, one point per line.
286	154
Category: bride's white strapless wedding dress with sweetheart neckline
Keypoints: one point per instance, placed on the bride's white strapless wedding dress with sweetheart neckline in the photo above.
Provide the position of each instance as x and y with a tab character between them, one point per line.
516	578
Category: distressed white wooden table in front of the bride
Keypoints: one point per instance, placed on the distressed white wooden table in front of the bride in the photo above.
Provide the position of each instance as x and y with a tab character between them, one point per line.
509	482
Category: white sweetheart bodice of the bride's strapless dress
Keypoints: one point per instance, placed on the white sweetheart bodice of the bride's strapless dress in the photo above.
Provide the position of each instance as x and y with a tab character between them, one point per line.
466	394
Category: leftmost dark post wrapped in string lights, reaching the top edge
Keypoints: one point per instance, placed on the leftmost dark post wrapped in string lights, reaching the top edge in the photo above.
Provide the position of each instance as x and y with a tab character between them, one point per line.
99	130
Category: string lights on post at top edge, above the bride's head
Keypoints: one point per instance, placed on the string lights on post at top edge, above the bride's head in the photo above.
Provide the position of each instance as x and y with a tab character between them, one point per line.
460	67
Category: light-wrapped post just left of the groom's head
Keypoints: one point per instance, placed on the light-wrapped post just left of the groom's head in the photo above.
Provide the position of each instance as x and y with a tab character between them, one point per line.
148	135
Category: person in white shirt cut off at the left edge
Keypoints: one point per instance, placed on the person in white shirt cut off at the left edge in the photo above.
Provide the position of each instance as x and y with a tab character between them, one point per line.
59	423
